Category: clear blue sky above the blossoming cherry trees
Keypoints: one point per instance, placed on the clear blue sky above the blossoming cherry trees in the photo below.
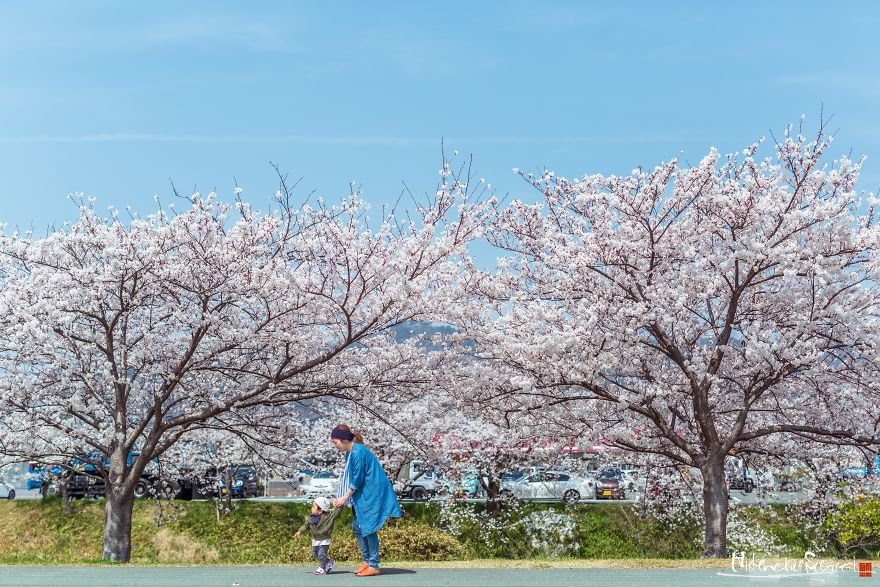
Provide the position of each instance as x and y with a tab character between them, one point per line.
115	99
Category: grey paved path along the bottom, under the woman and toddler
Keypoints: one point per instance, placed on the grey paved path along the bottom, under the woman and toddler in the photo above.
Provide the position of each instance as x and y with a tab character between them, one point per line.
20	576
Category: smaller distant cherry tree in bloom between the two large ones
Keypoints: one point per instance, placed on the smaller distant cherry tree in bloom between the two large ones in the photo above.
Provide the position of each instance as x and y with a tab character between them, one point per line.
449	422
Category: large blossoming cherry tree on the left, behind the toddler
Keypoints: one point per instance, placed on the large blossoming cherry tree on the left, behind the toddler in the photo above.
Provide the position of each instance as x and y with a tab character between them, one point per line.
122	337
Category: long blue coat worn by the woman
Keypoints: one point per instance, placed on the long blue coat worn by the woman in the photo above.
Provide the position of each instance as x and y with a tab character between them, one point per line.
374	498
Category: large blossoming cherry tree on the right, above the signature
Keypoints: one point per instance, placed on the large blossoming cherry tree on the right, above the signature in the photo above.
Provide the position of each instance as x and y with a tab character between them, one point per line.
689	312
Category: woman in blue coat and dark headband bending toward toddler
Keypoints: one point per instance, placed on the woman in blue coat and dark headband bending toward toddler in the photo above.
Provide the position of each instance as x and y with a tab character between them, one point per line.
366	489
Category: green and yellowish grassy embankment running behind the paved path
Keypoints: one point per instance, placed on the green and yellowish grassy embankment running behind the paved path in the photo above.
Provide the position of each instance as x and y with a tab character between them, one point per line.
38	532
